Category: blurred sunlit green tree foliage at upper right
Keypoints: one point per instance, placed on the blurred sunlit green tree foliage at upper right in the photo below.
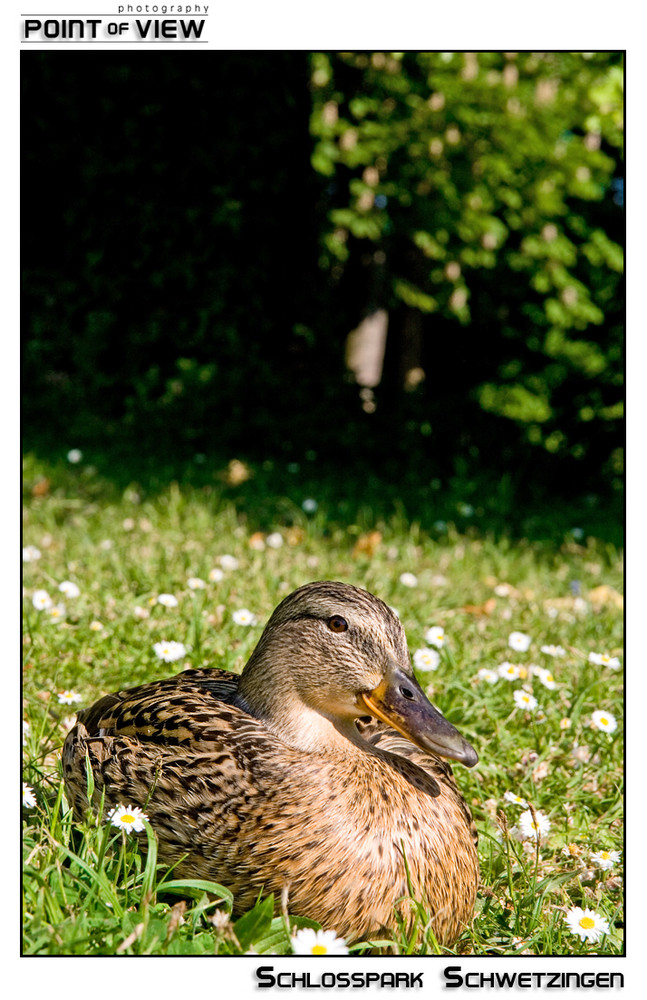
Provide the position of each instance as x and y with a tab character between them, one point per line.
481	186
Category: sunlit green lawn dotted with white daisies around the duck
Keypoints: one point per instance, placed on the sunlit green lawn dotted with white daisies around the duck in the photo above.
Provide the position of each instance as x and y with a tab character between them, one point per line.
88	890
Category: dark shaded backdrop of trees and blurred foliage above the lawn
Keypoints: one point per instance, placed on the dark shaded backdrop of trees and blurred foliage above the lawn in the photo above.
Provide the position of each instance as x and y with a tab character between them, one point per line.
202	234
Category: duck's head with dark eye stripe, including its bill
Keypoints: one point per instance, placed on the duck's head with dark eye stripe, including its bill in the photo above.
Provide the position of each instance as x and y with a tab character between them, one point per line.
332	653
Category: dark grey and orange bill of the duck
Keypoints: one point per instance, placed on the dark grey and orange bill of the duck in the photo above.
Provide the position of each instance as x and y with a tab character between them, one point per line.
401	703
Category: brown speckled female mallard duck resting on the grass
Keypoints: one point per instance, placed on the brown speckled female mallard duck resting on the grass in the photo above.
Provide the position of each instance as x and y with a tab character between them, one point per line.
276	780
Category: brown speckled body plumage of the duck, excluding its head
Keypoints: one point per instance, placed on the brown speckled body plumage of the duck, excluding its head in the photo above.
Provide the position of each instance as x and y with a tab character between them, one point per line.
232	801
